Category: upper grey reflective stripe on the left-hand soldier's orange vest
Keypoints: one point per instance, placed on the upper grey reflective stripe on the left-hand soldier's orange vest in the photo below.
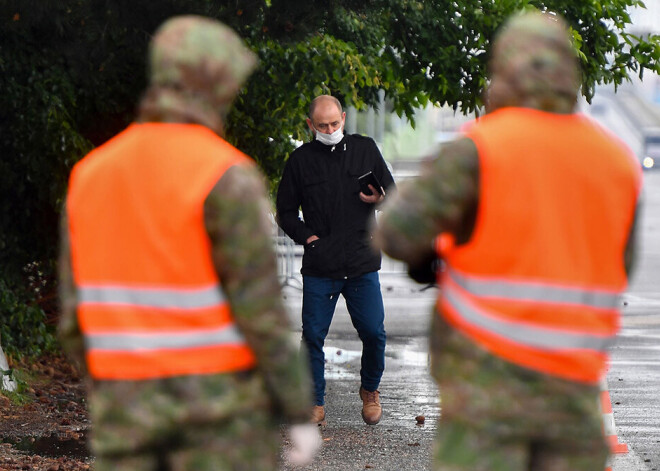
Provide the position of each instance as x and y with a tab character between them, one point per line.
207	296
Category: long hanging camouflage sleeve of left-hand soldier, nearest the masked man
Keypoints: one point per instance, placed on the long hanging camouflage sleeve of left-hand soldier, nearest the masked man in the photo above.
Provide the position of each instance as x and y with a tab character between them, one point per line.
236	215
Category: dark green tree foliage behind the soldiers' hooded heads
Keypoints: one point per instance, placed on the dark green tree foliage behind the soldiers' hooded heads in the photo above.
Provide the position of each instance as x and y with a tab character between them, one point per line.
72	71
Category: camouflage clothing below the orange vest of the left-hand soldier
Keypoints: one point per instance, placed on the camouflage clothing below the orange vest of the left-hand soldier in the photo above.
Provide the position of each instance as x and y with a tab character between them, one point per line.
220	422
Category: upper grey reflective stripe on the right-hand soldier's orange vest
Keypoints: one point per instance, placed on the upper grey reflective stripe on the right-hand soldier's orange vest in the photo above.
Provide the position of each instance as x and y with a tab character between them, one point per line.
537	292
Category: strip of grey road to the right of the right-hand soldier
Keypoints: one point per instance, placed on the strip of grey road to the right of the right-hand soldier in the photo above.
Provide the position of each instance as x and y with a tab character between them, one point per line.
634	375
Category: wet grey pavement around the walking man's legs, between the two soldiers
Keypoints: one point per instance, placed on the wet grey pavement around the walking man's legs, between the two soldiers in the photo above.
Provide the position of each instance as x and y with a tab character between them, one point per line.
407	391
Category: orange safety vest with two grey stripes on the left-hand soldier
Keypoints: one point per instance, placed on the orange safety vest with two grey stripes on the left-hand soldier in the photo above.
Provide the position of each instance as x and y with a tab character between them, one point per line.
150	304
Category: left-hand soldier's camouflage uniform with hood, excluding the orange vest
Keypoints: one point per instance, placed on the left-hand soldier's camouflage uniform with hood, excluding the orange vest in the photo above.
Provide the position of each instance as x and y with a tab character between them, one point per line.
215	422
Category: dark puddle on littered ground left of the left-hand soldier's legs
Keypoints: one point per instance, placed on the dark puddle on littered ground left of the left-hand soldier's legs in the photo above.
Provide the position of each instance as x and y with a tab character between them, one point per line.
73	445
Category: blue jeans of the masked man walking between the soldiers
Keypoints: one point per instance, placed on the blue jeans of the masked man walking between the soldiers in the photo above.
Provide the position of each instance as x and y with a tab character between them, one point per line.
365	306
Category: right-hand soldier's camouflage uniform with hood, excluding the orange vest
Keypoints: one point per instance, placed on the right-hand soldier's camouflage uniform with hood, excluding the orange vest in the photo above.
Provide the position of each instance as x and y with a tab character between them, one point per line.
497	415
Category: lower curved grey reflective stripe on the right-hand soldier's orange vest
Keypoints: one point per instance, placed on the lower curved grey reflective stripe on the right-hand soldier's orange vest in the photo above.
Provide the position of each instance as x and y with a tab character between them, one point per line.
534	336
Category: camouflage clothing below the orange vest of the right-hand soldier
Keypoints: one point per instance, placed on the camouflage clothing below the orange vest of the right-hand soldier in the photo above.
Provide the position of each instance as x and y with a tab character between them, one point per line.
496	416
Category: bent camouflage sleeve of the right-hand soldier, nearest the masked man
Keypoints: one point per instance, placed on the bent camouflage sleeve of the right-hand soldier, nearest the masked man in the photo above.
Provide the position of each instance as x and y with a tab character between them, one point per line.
442	199
